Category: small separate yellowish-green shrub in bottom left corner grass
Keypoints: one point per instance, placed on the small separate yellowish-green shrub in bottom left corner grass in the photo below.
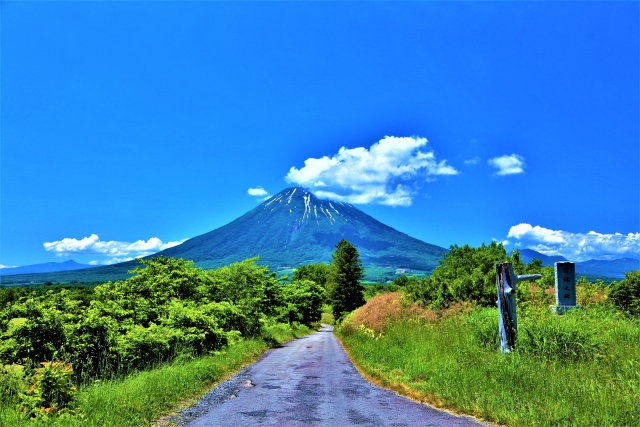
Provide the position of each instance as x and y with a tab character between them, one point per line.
51	390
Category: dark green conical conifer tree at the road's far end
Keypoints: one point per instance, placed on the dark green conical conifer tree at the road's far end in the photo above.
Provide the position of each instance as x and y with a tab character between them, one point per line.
343	284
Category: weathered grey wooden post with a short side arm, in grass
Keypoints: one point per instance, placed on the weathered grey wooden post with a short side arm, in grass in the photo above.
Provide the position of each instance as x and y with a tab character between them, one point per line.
506	281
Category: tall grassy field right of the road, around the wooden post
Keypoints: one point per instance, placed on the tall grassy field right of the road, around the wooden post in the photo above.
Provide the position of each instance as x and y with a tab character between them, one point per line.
581	369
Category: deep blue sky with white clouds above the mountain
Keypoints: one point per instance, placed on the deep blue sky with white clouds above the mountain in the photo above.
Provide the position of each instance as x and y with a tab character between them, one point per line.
130	126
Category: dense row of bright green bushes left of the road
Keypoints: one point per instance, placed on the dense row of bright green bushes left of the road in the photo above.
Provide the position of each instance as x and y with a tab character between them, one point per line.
169	308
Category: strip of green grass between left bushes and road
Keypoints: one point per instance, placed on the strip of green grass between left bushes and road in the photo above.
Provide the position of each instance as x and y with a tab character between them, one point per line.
141	398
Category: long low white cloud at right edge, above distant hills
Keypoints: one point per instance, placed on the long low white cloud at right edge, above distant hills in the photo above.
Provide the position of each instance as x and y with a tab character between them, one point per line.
576	246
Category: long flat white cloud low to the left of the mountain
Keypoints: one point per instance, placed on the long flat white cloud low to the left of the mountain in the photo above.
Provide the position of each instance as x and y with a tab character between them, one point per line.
92	245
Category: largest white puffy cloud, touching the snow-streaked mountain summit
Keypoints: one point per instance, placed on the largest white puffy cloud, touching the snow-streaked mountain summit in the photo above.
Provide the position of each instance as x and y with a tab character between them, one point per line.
384	173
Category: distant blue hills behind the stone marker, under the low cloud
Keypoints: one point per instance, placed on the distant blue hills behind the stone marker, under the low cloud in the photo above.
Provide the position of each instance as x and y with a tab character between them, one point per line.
599	268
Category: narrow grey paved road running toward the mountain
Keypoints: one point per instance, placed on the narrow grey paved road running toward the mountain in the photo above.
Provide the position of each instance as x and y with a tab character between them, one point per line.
310	382
